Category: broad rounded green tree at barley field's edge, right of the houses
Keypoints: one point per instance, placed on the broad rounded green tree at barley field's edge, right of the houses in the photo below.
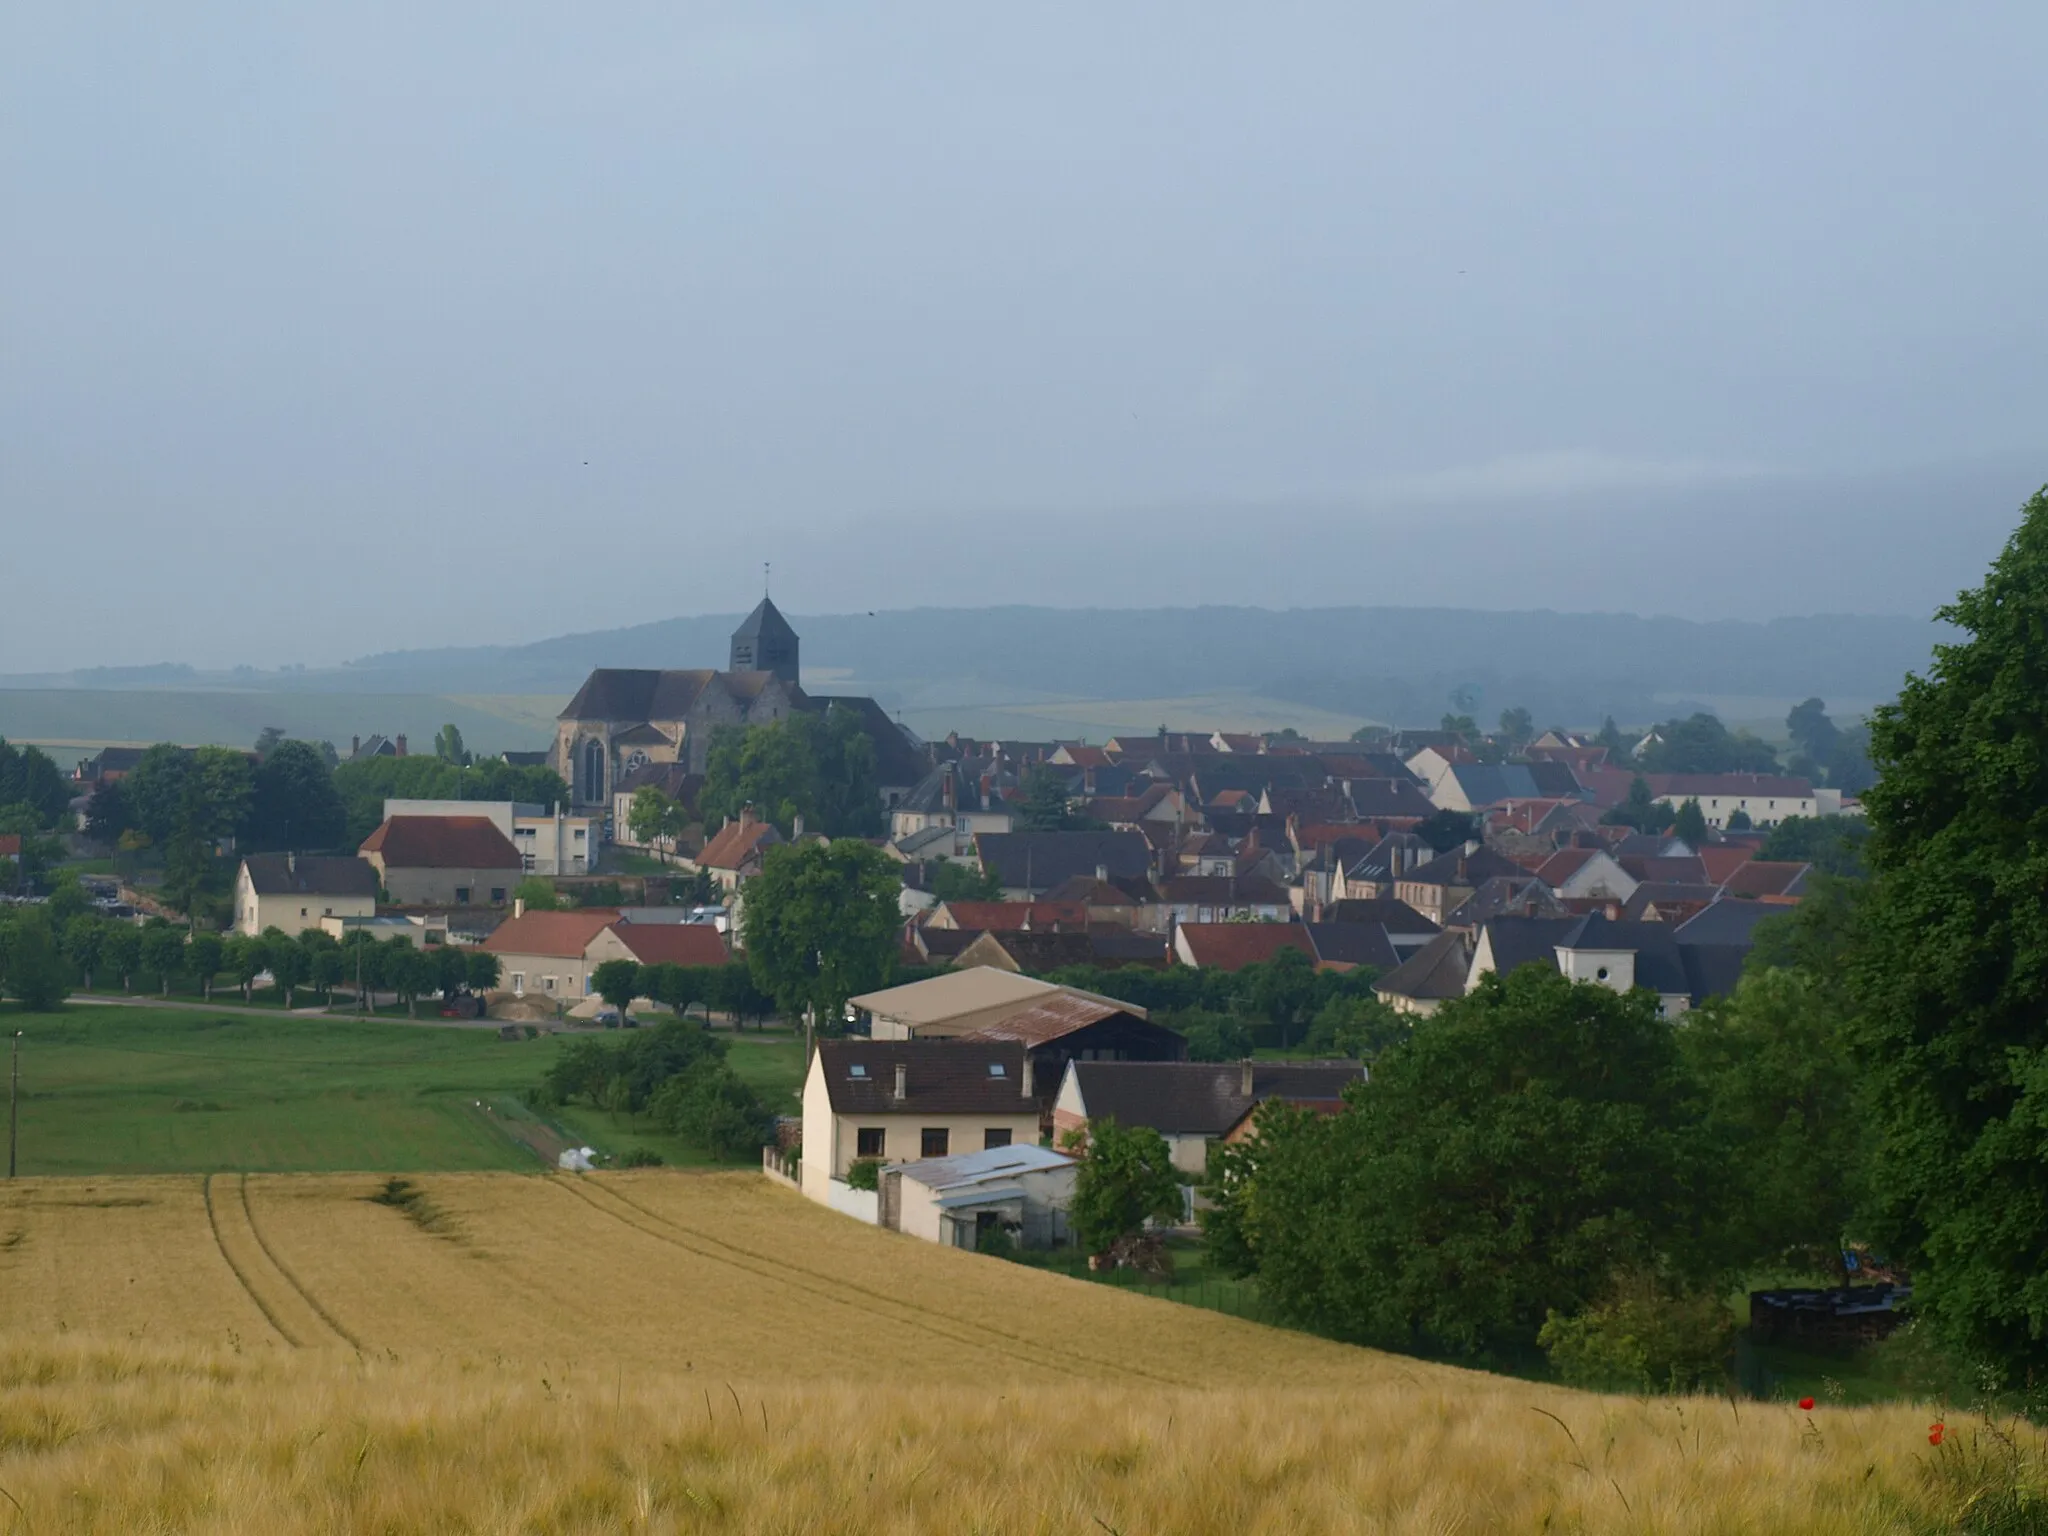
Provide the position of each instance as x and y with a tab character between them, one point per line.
1523	1146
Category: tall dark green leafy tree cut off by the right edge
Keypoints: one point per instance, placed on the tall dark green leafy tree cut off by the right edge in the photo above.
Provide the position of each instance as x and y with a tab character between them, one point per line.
1953	968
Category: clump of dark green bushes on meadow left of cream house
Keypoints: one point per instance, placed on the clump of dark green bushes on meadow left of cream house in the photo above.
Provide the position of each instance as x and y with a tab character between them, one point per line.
677	1074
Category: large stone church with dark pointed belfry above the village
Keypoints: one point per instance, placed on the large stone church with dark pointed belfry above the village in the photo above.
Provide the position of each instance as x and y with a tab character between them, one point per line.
628	718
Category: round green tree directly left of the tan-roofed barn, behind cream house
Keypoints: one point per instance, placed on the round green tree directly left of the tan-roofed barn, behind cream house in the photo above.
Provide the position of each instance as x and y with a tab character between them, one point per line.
822	925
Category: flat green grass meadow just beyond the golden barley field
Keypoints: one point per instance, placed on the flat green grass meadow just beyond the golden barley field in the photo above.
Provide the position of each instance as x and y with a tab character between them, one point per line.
159	1091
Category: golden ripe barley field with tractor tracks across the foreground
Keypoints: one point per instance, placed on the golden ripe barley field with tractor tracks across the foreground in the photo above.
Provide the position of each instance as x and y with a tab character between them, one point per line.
665	1353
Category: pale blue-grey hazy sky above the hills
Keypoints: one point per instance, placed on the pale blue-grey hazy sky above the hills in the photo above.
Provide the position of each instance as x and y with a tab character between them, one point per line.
345	329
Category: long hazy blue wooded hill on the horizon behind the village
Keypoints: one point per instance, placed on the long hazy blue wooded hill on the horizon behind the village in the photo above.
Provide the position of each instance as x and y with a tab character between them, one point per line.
1392	665
